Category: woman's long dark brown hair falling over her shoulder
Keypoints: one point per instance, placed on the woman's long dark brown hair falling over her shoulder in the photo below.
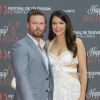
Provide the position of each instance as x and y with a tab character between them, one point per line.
70	37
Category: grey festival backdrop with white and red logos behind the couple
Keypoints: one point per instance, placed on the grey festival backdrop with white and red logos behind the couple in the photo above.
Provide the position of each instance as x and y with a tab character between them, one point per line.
85	17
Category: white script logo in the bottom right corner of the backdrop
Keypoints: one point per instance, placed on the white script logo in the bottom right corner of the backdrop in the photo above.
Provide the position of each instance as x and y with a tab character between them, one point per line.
93	94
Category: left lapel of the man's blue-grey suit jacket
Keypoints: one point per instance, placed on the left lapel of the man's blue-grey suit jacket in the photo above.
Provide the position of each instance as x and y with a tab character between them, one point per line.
35	49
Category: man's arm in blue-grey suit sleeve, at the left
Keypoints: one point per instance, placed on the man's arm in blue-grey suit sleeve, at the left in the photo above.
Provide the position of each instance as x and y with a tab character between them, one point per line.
20	65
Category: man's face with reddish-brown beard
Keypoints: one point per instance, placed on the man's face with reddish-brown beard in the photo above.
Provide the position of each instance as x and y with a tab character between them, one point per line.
36	26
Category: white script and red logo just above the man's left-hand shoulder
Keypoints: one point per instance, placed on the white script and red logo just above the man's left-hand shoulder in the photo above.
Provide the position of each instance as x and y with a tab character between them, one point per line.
8	33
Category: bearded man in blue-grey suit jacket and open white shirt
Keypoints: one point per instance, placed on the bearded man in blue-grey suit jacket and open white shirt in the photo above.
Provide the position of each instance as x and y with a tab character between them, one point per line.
30	63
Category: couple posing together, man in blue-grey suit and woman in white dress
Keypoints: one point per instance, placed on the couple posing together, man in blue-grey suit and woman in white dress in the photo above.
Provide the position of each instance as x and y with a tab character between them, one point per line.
48	70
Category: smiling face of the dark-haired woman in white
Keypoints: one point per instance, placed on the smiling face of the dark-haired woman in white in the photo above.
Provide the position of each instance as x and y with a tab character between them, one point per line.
58	26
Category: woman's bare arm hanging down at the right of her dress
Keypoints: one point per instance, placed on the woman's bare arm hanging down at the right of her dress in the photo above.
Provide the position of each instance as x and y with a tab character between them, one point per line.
82	67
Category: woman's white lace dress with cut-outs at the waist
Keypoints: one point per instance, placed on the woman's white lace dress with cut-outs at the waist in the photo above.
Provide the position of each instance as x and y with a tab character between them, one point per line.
66	87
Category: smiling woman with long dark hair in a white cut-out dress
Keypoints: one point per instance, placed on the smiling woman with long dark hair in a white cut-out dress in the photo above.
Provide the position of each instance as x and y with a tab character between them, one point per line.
66	52
